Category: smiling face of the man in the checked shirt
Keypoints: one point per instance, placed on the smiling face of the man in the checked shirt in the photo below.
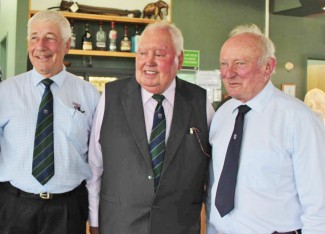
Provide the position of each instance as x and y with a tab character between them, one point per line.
46	48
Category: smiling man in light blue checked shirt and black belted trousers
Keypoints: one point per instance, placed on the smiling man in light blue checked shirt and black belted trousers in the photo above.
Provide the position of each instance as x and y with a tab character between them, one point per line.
59	206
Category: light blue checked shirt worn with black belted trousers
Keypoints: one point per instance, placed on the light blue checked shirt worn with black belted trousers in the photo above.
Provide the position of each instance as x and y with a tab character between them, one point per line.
20	97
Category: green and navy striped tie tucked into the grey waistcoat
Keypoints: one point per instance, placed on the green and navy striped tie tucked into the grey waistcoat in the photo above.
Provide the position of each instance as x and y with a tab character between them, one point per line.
157	139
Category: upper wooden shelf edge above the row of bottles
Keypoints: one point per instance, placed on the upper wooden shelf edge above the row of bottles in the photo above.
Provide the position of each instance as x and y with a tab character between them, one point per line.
97	17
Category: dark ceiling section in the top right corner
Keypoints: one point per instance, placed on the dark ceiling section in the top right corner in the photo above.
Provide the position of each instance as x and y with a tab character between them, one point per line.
300	8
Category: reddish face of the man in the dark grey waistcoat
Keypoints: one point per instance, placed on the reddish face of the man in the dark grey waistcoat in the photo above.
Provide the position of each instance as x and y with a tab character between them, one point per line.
156	61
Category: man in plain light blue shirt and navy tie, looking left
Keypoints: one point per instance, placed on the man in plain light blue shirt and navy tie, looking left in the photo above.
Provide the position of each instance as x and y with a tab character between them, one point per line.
281	177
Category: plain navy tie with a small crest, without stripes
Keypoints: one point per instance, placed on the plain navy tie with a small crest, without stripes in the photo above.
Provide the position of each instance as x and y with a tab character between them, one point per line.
228	178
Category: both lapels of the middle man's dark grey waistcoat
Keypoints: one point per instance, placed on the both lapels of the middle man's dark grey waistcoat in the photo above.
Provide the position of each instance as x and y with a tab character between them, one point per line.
134	114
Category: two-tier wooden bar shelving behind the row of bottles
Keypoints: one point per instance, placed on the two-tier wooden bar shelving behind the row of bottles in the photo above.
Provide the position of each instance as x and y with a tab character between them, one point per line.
100	63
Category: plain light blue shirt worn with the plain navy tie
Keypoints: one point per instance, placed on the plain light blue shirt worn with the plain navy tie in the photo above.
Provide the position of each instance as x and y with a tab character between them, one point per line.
281	177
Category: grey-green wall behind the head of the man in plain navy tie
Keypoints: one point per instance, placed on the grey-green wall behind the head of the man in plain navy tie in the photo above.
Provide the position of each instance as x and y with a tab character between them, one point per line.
206	24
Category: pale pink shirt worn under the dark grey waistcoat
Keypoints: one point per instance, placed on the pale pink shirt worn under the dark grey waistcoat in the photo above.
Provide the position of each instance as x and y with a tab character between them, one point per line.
95	153
